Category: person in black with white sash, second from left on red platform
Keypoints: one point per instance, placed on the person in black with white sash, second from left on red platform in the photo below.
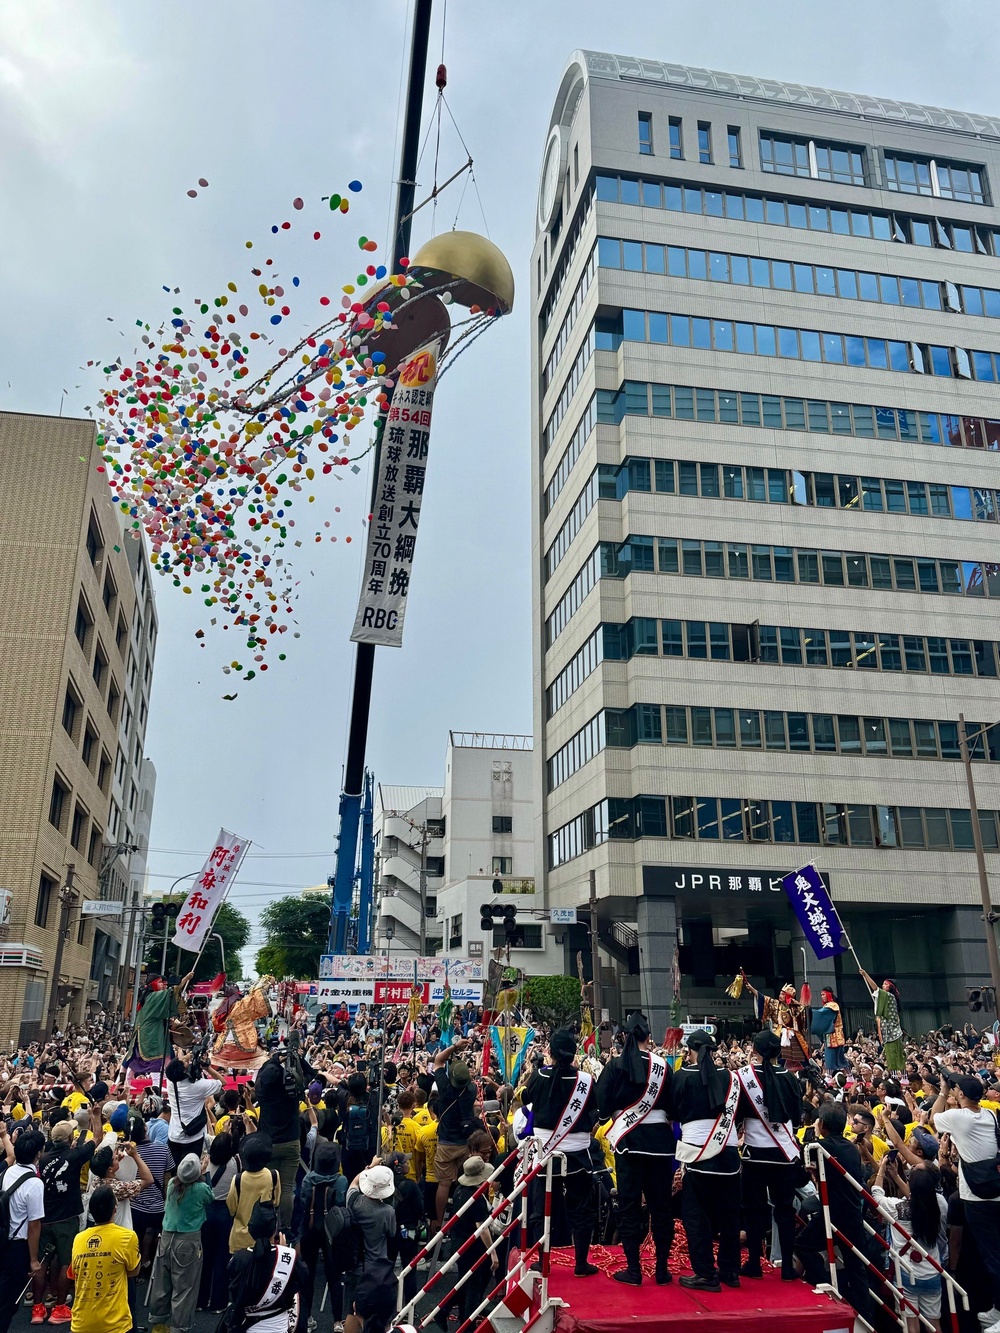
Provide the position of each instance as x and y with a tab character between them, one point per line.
635	1088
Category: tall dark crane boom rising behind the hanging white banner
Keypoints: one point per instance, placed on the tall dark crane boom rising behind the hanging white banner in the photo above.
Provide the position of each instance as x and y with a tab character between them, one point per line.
365	658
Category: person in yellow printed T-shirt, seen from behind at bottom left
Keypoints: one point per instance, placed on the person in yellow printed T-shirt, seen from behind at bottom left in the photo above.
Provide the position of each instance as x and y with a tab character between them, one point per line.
105	1259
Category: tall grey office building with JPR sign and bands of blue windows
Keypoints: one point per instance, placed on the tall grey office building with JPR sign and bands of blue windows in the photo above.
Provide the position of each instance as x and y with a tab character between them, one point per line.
765	527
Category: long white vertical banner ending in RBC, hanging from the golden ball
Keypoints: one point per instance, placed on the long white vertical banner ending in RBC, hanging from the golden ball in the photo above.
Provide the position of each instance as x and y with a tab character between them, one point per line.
399	495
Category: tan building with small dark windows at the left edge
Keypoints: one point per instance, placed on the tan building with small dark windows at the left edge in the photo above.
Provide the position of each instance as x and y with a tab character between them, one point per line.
79	633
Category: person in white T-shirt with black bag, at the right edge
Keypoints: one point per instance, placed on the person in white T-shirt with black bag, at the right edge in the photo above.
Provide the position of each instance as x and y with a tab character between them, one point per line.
958	1114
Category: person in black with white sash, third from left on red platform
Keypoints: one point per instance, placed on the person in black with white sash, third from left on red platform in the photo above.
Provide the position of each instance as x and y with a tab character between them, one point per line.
705	1100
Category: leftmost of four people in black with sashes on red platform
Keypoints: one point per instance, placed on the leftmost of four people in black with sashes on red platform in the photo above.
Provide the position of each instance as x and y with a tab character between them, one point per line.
563	1114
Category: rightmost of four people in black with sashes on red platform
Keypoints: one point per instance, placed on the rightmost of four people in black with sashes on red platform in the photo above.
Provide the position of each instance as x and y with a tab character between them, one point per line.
770	1107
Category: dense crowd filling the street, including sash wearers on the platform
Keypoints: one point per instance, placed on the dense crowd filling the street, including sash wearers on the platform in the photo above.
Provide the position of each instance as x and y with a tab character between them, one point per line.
295	1195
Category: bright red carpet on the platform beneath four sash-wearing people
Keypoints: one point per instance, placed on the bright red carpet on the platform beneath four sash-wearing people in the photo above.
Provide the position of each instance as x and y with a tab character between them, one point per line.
769	1306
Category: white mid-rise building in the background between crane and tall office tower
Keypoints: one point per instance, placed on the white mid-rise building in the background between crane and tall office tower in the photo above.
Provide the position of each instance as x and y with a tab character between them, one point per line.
475	831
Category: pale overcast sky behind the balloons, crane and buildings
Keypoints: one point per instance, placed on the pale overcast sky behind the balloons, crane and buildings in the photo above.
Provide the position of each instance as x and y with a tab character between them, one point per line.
114	110
